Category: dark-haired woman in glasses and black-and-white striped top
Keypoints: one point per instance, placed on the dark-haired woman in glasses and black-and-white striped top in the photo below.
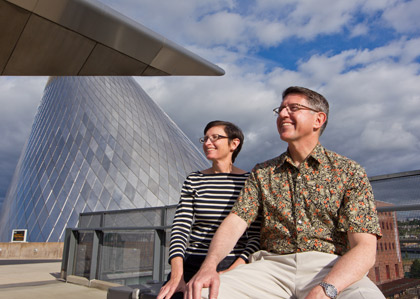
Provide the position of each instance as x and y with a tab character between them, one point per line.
207	197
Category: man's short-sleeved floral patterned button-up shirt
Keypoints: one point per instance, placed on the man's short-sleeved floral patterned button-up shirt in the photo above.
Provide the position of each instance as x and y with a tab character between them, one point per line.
310	207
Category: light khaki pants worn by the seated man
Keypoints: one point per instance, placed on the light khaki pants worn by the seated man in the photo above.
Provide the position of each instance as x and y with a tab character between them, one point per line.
270	275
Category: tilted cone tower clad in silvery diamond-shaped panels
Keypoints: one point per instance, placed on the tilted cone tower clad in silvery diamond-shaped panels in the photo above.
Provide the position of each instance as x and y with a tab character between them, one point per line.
97	143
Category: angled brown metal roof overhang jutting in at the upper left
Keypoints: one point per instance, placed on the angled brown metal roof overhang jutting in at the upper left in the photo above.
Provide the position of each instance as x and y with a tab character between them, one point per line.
86	37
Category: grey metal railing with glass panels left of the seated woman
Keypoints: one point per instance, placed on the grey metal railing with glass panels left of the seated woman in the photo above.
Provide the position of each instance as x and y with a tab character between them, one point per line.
121	253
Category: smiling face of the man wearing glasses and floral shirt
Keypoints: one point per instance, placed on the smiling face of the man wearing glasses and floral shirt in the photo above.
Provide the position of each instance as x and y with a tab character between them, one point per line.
297	125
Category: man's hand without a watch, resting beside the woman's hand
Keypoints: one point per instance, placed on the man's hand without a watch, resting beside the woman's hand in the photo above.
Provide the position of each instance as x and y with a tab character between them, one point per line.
205	278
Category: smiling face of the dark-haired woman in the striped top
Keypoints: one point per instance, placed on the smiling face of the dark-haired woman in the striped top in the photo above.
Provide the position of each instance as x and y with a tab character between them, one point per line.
219	149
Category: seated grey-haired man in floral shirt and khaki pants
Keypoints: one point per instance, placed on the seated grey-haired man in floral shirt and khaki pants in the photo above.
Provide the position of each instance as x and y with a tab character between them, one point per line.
319	222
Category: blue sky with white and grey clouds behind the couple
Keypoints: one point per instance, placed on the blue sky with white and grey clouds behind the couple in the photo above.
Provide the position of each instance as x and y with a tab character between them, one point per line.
362	55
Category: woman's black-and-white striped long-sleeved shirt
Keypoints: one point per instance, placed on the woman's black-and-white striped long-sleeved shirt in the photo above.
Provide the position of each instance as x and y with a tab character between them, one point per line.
206	199
